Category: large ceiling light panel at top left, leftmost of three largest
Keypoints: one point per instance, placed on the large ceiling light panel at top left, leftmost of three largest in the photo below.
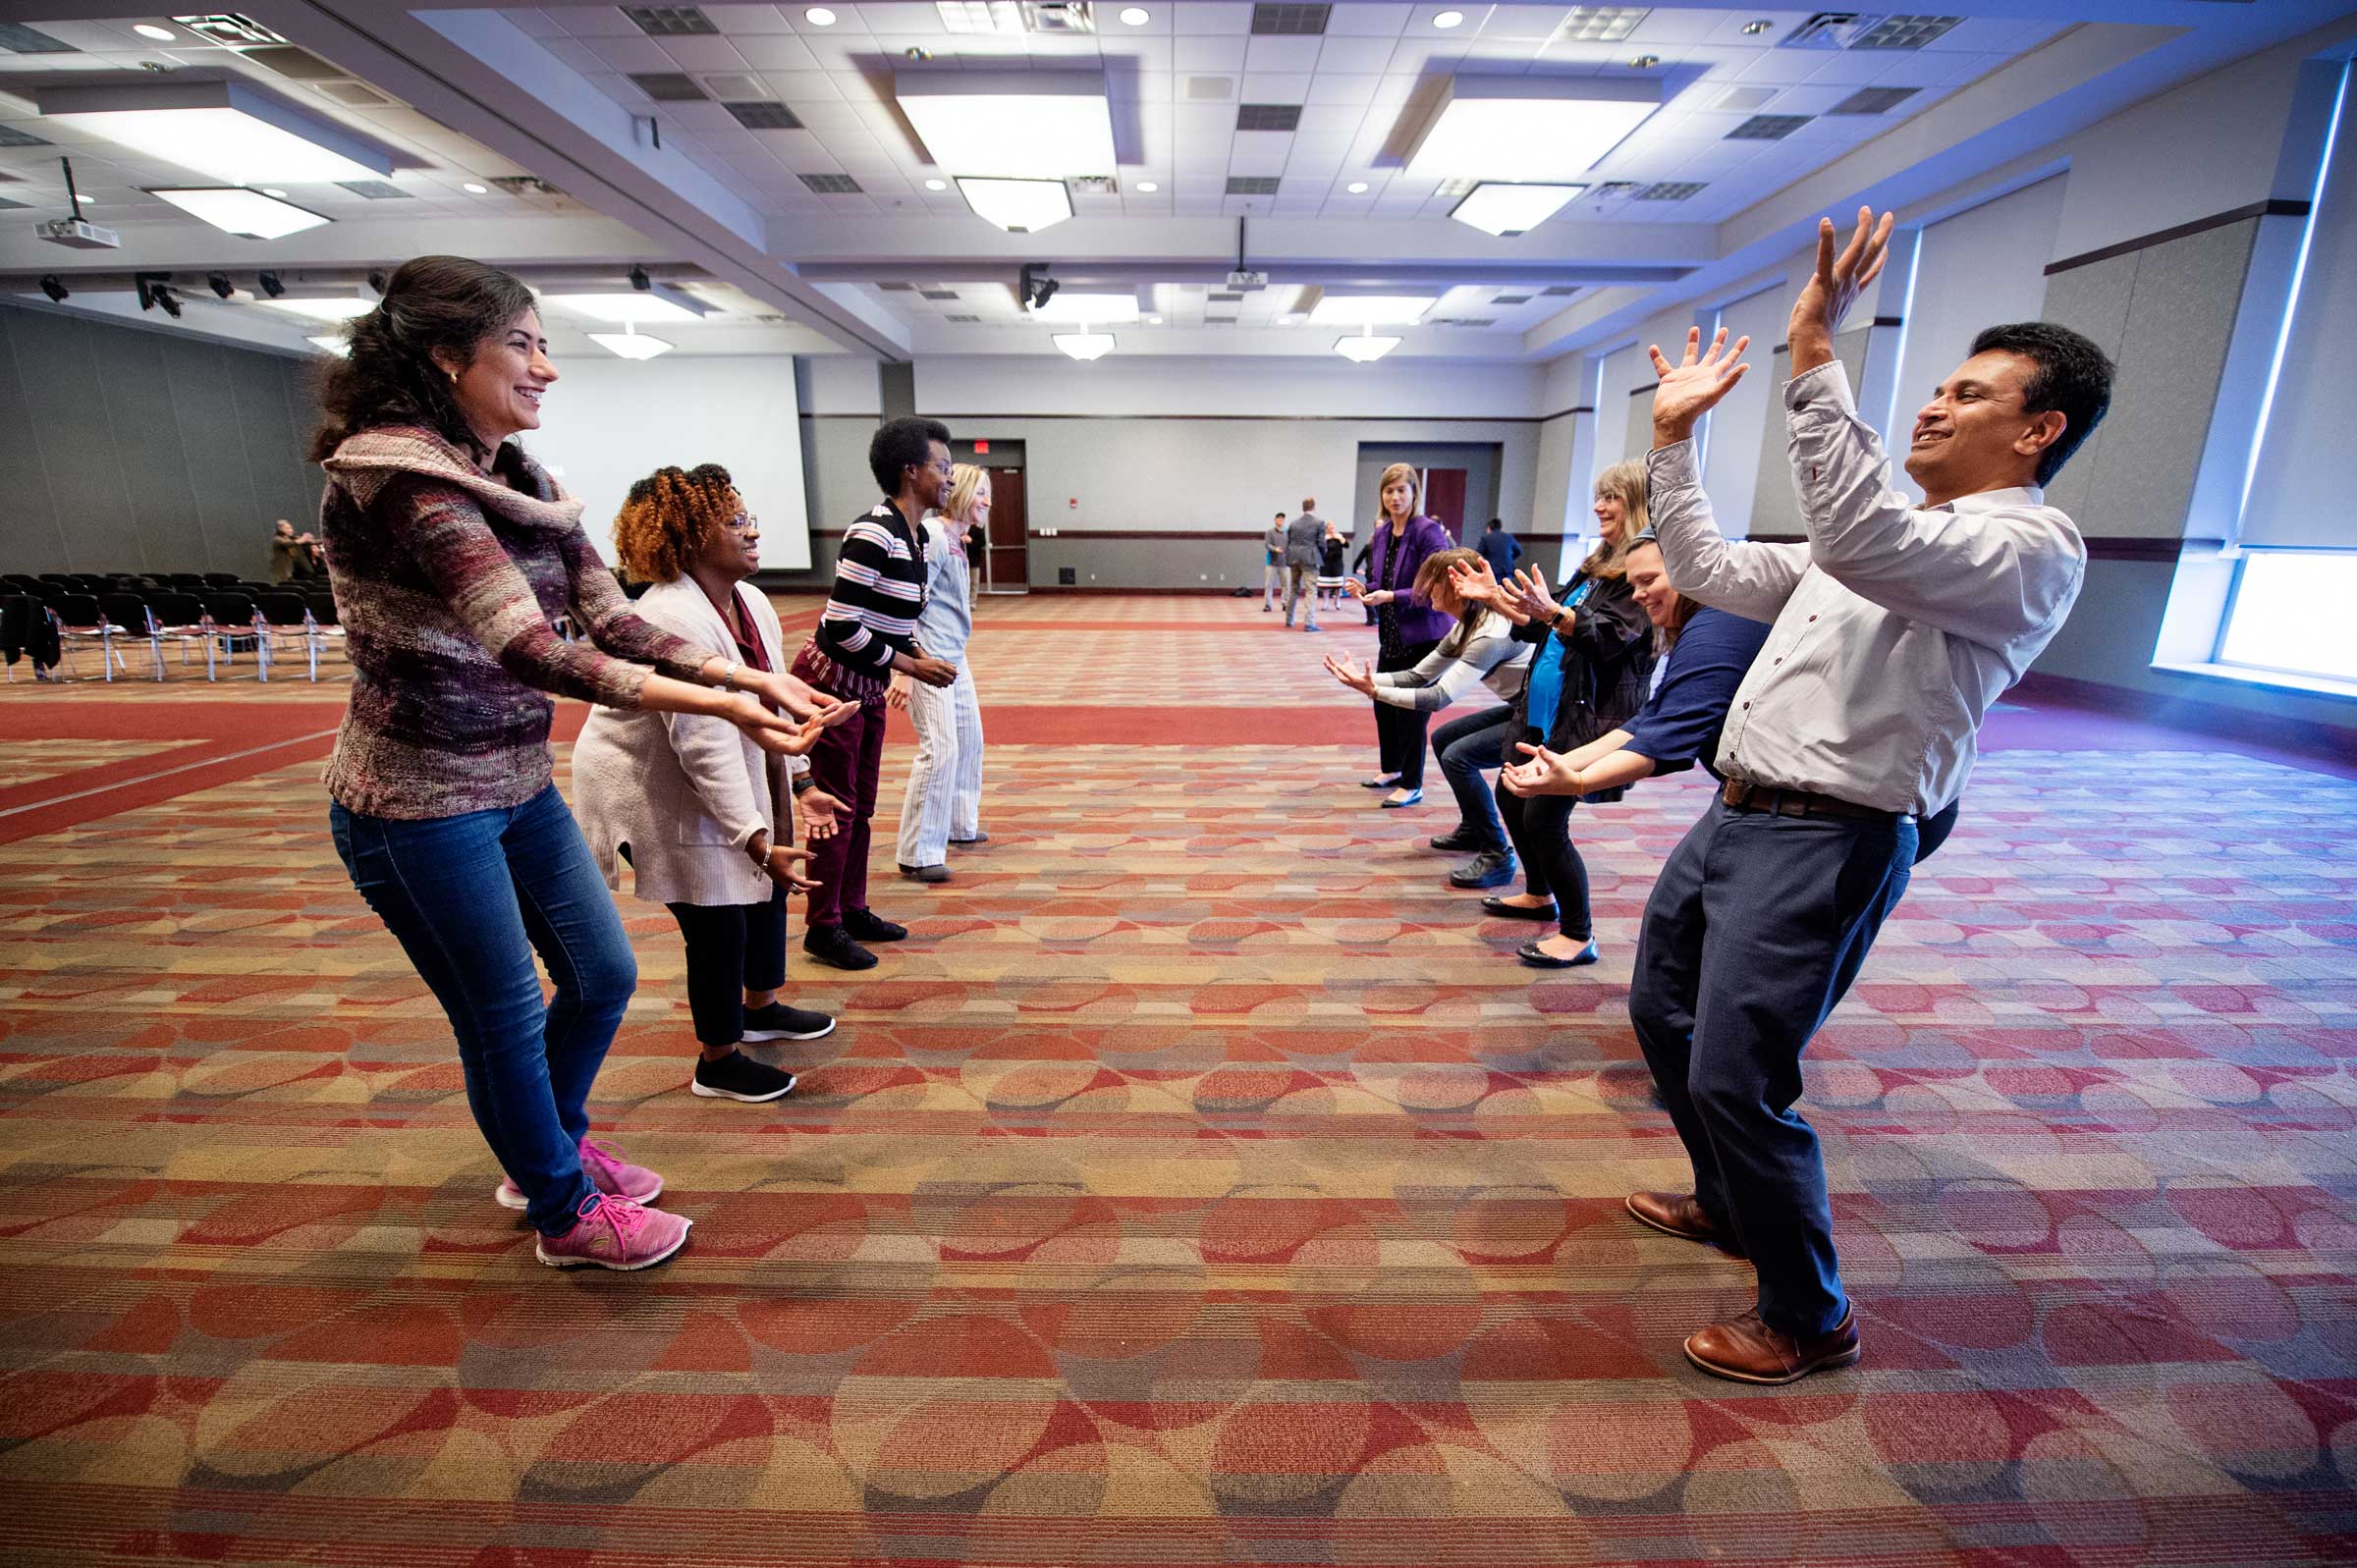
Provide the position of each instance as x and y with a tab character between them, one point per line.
223	131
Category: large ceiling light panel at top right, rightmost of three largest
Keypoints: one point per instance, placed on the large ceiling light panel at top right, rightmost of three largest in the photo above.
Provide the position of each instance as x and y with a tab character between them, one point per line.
1531	131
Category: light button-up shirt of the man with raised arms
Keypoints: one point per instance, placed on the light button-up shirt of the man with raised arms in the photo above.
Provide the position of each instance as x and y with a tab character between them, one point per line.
1896	626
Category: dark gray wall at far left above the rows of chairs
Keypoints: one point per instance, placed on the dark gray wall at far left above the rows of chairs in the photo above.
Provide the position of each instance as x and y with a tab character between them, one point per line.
131	449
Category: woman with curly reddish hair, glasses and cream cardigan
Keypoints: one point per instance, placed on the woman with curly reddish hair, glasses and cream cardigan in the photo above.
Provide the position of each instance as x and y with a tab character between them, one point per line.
694	810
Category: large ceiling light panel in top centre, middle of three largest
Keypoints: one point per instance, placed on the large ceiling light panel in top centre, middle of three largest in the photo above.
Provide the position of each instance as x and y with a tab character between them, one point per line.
1010	124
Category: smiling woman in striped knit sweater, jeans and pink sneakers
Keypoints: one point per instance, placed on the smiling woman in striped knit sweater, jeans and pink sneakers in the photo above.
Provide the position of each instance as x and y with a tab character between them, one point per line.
451	555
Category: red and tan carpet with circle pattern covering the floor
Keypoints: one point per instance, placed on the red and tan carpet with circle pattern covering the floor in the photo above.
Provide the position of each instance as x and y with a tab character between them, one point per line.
1203	1185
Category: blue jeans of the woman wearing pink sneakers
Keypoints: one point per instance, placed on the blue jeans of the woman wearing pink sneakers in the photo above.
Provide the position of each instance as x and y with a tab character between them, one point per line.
470	900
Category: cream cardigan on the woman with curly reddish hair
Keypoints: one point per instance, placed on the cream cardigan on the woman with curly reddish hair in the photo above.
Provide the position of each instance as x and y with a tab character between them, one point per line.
682	791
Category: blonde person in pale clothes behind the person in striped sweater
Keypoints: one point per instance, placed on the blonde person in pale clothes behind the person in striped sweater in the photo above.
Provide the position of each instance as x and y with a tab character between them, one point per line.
946	782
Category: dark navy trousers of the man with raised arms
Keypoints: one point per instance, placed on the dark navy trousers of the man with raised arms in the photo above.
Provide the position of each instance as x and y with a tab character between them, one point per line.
1752	935
